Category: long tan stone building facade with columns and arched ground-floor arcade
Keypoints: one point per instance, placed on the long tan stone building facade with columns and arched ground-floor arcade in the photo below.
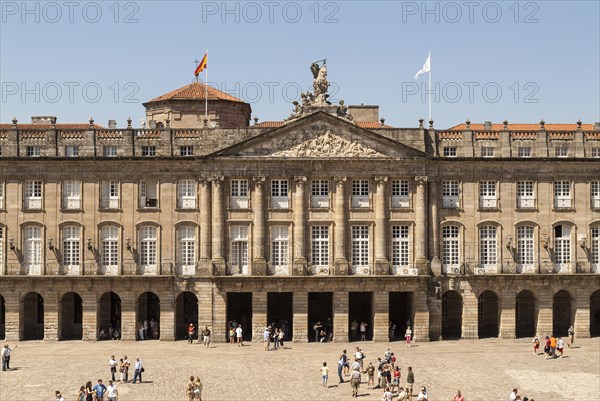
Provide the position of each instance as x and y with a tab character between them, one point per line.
480	230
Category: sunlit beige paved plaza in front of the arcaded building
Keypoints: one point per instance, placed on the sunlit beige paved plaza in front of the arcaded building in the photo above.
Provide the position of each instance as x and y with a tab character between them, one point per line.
484	370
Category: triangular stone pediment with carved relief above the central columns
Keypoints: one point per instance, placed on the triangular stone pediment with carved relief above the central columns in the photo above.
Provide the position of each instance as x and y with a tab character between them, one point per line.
321	136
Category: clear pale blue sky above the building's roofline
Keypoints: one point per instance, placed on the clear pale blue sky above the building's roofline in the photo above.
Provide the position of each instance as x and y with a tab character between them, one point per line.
520	61
